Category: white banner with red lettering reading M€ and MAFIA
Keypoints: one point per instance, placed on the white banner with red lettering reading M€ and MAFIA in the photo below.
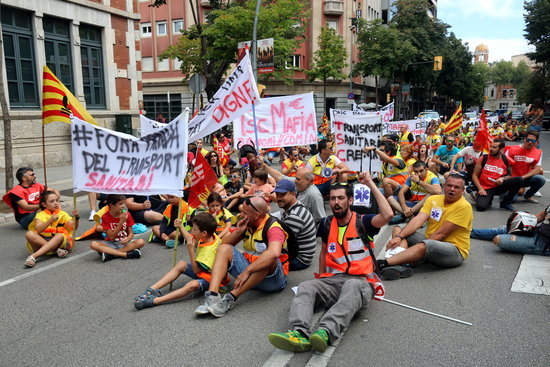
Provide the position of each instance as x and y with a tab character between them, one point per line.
281	122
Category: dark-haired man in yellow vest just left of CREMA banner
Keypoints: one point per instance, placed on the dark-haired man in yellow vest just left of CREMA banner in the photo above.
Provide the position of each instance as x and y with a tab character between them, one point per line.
326	167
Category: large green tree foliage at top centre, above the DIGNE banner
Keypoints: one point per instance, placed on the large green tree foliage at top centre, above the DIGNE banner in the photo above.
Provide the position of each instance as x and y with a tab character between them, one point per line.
210	48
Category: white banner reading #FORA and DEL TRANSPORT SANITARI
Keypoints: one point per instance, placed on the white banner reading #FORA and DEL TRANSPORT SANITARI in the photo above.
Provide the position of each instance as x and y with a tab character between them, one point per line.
110	162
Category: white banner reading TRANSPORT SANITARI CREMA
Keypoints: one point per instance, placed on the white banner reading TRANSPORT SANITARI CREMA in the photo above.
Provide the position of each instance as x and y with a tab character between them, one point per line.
352	134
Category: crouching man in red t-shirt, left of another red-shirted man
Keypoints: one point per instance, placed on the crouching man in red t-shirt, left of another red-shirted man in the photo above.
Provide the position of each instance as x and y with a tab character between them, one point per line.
493	176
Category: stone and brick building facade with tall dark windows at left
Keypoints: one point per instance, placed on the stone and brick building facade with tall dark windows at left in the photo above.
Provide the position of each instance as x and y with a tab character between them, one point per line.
92	46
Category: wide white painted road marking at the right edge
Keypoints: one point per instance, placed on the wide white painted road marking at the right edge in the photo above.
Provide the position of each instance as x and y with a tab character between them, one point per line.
533	275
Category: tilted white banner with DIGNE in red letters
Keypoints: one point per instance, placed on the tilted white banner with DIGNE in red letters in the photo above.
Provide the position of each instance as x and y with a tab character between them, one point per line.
234	98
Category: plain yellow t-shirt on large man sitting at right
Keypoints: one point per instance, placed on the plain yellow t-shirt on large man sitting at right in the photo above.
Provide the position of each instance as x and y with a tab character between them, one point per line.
459	213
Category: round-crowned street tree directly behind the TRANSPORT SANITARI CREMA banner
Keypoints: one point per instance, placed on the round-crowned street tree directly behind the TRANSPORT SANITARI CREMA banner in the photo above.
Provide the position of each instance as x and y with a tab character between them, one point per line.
382	52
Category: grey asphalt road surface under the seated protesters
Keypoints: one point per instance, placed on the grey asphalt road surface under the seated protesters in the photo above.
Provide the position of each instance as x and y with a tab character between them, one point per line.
79	311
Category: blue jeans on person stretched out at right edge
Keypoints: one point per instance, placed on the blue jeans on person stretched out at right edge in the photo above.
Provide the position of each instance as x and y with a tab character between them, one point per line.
512	243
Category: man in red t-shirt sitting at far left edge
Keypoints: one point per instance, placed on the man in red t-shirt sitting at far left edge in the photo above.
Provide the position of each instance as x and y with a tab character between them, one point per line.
24	198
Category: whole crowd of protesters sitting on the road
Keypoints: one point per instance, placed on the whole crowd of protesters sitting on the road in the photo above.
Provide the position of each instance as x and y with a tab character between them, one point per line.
422	182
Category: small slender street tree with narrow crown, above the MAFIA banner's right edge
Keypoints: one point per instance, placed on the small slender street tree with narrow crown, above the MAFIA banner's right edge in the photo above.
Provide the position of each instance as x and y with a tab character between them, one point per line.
328	60
